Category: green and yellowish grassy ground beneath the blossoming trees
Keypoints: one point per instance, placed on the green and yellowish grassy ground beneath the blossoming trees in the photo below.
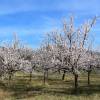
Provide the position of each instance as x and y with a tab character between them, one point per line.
55	89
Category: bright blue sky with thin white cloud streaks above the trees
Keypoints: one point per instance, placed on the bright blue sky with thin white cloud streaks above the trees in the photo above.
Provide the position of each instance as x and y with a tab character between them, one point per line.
31	19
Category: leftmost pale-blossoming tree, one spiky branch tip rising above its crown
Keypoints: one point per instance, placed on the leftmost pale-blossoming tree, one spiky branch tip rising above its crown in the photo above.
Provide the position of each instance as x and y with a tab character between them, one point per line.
14	57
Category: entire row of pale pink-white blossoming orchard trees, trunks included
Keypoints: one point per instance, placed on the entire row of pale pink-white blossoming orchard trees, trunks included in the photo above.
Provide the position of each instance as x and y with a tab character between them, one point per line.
65	50
